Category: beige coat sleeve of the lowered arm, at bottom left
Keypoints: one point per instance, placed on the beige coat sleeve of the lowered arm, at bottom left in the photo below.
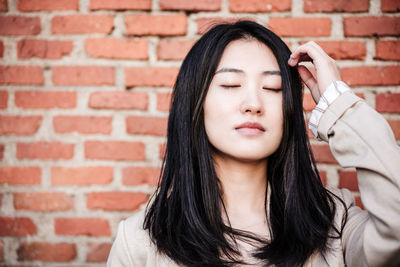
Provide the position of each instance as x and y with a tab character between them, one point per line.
119	255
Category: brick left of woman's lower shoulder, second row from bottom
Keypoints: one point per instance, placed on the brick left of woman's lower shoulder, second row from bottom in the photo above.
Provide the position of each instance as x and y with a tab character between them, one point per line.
82	226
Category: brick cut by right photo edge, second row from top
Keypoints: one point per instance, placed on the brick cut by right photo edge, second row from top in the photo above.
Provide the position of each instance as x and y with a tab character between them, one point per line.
371	26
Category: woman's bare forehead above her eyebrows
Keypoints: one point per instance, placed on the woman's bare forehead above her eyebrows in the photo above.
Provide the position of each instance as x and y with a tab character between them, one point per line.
250	55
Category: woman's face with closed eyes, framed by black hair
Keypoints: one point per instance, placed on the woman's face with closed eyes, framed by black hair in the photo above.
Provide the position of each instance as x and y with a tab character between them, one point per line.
243	108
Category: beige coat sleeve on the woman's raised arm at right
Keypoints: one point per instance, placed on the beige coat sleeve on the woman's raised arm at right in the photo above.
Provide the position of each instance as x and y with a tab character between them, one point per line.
360	137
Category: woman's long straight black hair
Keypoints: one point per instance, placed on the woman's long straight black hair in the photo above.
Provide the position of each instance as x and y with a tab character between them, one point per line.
184	219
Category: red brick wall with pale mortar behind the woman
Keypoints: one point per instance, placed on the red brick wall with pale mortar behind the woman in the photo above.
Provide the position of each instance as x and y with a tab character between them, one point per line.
84	96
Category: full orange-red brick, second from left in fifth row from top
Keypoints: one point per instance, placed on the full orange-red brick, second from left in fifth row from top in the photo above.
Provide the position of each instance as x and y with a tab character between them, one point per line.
45	99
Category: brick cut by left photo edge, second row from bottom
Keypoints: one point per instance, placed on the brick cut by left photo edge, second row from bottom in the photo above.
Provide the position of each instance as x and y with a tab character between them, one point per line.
16	226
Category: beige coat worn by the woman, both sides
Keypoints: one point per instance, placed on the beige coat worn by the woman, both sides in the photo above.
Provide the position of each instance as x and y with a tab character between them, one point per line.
358	137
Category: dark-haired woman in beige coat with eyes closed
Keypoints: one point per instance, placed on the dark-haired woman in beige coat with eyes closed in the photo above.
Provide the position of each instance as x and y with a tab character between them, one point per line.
239	184
